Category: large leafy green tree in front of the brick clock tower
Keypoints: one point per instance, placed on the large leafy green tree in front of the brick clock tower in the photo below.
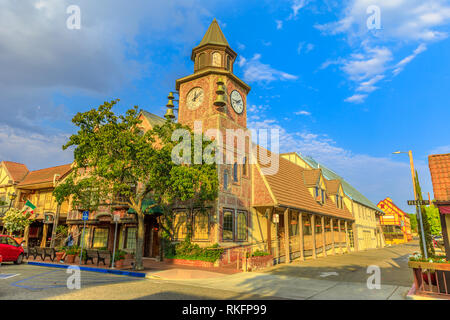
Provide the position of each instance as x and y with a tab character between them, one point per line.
116	162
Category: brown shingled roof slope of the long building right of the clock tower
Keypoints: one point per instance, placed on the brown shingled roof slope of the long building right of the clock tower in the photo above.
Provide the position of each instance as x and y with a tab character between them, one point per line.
289	189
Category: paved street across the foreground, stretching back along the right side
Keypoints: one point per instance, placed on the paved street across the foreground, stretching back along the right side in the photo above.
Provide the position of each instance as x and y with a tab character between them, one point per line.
334	277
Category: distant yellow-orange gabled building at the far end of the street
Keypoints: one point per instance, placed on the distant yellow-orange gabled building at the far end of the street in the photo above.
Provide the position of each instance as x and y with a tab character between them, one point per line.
396	223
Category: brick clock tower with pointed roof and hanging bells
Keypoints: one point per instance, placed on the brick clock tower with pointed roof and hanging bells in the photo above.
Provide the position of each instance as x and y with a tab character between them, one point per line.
217	98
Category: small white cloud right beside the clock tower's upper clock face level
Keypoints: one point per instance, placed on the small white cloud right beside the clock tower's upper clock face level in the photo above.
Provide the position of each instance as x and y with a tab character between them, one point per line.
256	71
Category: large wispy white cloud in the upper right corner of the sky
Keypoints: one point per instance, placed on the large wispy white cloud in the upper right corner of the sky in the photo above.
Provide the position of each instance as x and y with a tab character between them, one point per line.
403	23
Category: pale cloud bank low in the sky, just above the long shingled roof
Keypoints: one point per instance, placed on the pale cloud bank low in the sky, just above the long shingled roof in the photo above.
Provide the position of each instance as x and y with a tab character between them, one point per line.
375	177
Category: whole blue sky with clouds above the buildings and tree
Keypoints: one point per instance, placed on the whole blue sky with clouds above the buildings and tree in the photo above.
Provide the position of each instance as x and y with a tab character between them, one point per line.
339	92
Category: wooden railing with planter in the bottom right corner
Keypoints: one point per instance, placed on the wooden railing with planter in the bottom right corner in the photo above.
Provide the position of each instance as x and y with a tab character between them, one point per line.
431	279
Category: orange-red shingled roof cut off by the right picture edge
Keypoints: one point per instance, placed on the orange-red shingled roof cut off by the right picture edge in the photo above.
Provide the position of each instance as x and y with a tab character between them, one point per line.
440	175
